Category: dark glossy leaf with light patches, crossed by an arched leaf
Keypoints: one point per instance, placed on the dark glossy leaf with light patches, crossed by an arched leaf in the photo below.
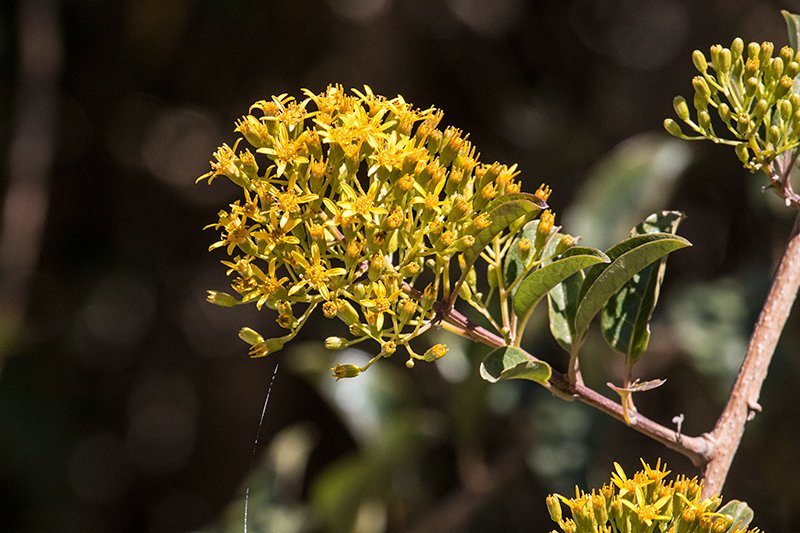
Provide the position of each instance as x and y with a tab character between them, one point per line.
625	321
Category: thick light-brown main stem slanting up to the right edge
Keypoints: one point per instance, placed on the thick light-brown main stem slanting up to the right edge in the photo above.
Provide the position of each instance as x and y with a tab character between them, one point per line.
743	401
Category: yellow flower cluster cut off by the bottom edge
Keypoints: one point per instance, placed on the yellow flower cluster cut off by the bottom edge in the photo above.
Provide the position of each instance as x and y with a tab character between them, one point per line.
646	503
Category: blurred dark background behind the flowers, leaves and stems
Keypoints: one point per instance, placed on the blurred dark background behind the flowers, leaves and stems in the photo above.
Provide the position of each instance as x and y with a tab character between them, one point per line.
127	403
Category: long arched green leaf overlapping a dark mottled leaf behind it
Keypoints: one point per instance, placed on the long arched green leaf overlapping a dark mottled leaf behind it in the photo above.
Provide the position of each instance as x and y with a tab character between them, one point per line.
627	259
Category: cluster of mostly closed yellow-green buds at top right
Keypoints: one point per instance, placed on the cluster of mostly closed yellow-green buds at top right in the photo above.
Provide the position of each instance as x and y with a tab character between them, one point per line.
754	95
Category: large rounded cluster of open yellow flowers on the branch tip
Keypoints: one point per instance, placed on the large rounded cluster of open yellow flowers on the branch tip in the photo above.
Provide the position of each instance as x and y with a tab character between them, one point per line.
348	200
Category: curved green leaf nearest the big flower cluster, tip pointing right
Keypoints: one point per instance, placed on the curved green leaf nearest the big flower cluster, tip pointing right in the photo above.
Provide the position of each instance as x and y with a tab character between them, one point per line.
544	279
